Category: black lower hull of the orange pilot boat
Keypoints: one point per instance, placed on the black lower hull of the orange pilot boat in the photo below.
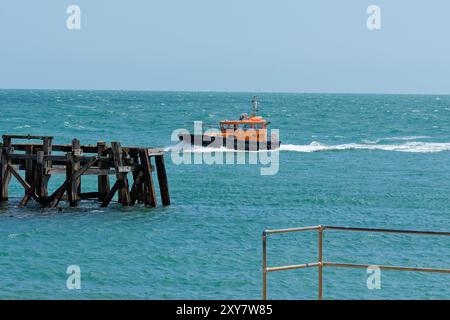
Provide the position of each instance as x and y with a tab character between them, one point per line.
229	143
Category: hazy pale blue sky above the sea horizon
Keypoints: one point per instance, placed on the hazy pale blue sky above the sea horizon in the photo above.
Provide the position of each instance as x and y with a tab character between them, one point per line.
236	45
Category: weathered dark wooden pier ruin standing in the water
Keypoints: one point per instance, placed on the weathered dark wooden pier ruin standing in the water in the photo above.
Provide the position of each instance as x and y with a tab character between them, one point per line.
41	160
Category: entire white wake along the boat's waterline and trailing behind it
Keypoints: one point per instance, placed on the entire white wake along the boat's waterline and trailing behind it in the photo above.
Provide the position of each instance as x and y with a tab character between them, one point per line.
410	146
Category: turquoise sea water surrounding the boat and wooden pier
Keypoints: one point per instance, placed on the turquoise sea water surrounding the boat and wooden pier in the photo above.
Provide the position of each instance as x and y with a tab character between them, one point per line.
353	160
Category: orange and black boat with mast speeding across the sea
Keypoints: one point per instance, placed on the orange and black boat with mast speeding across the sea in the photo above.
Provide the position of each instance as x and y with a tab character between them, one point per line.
249	133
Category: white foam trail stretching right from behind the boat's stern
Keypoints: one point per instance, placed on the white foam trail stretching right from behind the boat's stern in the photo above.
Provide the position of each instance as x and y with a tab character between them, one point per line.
419	147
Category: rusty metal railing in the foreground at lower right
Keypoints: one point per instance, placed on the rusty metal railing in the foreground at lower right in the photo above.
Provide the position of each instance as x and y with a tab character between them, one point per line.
320	264
